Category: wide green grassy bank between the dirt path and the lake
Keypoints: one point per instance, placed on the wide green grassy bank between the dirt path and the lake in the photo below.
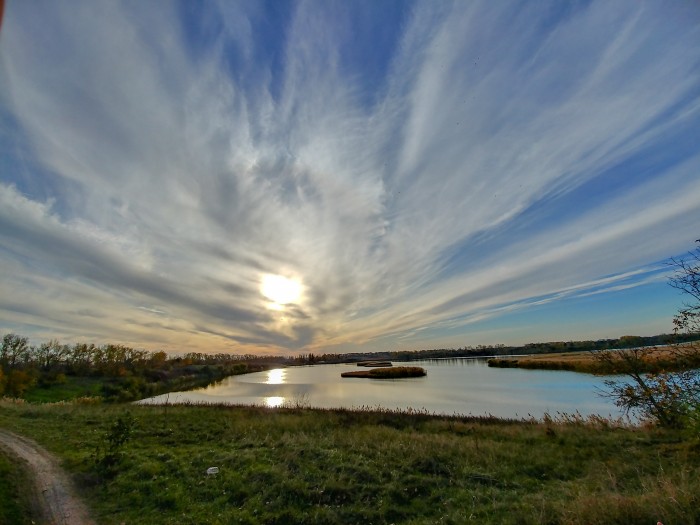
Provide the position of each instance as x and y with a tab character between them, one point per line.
341	467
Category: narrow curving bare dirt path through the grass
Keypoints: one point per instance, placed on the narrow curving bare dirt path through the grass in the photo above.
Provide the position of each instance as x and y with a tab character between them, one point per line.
55	495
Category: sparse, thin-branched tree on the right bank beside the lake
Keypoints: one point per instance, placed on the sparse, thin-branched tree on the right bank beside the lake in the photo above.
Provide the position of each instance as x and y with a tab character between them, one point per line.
671	398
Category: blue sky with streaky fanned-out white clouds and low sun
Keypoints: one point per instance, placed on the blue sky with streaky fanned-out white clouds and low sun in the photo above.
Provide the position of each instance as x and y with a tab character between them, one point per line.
345	176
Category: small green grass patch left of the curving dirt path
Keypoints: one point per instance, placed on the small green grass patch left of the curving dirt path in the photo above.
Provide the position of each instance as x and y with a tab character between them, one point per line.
15	490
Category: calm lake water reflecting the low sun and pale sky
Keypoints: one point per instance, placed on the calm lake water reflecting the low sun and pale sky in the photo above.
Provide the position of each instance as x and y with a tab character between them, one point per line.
452	386
